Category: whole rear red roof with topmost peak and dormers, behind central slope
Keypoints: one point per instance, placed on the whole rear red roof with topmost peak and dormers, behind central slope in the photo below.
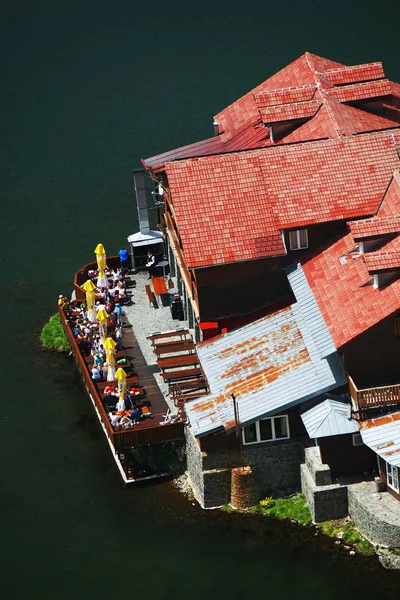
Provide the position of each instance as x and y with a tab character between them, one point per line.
309	78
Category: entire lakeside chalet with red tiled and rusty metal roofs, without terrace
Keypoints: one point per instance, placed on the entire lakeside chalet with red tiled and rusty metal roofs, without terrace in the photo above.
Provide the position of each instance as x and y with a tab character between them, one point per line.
283	232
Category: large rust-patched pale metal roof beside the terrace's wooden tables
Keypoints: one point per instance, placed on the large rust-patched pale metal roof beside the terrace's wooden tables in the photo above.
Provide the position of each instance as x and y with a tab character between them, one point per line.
270	365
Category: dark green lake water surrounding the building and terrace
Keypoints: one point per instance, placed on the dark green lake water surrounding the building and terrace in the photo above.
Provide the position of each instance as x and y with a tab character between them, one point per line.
87	88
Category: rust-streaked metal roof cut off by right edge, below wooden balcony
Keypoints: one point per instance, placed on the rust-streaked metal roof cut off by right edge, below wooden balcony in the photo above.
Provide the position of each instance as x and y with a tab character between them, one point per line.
382	435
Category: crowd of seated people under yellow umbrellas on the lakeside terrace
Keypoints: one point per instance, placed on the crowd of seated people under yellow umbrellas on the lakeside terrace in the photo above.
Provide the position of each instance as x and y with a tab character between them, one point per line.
123	412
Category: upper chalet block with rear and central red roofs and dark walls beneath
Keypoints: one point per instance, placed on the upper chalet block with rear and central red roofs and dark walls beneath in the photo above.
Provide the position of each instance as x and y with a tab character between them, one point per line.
310	148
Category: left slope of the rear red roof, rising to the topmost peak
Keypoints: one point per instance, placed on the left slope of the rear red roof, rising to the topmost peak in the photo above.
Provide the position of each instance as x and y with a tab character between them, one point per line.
244	111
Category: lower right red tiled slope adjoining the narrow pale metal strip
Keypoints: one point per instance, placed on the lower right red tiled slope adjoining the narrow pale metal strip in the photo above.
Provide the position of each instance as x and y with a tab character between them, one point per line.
343	290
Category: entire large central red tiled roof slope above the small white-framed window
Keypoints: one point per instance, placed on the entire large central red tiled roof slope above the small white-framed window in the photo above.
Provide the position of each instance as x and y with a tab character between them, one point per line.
232	207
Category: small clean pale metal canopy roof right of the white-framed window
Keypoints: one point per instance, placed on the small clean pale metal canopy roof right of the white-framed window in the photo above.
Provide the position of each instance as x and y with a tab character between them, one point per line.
328	417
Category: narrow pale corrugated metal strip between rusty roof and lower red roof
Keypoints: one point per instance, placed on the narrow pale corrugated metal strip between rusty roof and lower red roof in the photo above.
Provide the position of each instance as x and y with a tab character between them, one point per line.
307	307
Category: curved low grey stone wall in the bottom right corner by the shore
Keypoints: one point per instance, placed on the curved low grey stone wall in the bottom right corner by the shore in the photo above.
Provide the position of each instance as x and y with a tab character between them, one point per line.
376	515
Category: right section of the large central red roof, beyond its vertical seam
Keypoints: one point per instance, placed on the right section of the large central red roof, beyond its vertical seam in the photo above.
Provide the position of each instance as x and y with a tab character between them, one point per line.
329	180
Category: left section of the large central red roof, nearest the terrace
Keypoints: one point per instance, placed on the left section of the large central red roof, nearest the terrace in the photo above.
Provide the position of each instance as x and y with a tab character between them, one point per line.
220	210
